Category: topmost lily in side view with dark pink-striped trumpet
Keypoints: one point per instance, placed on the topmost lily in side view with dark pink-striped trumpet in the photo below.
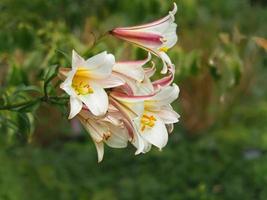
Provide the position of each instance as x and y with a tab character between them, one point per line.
156	37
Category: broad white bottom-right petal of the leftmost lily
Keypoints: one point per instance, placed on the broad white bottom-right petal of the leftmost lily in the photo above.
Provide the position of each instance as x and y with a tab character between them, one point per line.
97	102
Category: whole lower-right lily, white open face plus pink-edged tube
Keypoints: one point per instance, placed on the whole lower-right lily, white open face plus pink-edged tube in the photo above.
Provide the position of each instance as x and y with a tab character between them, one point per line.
152	119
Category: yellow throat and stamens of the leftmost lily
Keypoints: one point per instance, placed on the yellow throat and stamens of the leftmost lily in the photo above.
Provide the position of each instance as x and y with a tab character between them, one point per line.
80	82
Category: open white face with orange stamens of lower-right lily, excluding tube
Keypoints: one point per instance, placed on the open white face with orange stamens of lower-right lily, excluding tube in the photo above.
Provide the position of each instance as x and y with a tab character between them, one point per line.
151	126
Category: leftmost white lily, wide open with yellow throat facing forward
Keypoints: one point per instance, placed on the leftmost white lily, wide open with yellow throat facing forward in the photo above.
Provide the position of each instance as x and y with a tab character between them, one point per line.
86	81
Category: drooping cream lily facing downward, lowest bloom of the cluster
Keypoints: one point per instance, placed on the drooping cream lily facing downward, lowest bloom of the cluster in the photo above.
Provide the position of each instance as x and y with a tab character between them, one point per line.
108	130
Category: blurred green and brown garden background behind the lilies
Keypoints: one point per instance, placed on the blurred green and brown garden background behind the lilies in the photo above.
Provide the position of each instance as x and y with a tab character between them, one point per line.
217	150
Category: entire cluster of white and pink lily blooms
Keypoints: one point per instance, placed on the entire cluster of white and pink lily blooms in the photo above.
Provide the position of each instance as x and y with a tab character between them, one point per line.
117	102
